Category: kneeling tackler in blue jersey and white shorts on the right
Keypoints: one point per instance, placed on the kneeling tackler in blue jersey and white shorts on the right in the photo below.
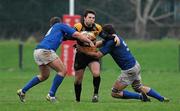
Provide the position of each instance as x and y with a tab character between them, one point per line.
130	68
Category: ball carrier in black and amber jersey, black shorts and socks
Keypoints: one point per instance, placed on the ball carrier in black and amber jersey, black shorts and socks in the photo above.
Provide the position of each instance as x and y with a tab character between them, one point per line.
82	61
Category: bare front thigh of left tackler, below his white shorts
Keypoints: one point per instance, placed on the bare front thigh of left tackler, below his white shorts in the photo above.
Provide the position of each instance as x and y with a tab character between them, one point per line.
58	66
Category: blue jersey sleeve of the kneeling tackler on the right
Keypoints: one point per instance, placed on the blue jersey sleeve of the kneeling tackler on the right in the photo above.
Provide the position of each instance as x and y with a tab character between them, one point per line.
107	47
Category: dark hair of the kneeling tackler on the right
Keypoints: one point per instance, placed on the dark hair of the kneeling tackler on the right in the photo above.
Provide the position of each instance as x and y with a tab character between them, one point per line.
109	28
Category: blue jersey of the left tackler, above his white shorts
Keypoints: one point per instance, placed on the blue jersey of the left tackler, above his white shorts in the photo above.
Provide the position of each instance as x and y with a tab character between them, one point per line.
54	36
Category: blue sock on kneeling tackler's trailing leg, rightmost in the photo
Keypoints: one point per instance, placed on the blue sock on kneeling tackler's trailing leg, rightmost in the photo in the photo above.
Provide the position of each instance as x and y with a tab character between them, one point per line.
156	95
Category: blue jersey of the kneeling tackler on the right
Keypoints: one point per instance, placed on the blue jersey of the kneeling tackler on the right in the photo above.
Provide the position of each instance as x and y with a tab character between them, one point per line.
121	54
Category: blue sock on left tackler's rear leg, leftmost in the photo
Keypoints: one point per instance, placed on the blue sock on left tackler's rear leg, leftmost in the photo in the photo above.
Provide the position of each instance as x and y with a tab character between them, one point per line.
34	81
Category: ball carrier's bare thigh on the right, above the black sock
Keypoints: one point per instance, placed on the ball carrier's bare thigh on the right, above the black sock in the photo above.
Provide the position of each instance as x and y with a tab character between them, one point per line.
94	68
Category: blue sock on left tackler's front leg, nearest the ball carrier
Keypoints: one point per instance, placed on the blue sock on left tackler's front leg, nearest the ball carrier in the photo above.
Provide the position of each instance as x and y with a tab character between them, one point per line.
56	83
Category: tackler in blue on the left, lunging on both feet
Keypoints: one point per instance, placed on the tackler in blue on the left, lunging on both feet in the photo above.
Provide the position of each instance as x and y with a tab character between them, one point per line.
46	58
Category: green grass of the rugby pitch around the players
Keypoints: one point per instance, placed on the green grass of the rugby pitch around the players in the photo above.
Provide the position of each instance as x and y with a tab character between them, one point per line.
158	59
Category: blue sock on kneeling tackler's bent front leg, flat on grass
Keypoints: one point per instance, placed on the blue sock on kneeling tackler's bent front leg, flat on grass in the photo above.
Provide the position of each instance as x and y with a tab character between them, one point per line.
131	95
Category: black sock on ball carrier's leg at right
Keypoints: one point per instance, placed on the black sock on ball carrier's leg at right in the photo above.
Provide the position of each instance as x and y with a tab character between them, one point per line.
96	83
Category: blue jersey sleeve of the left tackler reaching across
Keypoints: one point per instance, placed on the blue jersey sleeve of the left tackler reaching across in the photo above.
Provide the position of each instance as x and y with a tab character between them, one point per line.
68	30
